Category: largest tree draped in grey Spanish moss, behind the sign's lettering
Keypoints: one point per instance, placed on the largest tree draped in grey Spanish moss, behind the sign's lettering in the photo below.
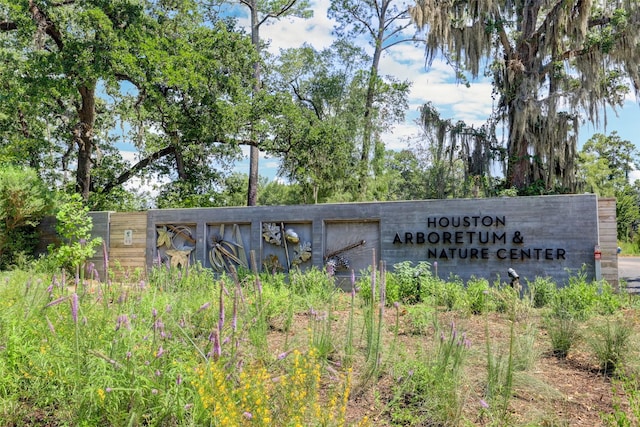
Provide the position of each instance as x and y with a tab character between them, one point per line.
550	62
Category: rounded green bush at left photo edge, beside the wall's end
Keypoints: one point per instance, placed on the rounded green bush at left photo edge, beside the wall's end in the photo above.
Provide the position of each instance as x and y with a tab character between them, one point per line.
24	201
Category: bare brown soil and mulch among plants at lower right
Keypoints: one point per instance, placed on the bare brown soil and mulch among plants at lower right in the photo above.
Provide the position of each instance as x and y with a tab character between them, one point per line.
549	392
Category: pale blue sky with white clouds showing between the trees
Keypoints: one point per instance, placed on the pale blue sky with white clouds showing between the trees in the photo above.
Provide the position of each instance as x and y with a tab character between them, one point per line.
435	84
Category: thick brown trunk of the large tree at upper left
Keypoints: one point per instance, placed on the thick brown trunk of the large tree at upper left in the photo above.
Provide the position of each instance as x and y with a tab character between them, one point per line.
84	138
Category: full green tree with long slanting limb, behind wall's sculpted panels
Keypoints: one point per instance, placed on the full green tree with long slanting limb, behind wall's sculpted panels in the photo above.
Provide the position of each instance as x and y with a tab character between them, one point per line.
188	121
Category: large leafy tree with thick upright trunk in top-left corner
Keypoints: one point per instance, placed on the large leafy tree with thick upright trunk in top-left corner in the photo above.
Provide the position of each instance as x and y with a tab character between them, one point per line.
62	51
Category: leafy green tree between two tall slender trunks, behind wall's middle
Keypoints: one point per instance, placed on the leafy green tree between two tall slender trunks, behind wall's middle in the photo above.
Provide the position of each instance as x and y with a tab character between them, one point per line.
319	120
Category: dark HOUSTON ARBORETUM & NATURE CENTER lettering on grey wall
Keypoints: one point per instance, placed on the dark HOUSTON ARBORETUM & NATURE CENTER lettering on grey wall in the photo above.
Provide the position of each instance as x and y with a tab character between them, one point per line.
479	237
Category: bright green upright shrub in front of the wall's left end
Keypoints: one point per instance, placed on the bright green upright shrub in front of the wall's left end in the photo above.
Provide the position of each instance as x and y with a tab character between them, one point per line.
74	228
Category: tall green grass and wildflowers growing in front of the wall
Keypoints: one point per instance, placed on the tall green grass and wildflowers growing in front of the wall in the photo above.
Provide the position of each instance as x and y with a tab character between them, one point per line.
185	347
